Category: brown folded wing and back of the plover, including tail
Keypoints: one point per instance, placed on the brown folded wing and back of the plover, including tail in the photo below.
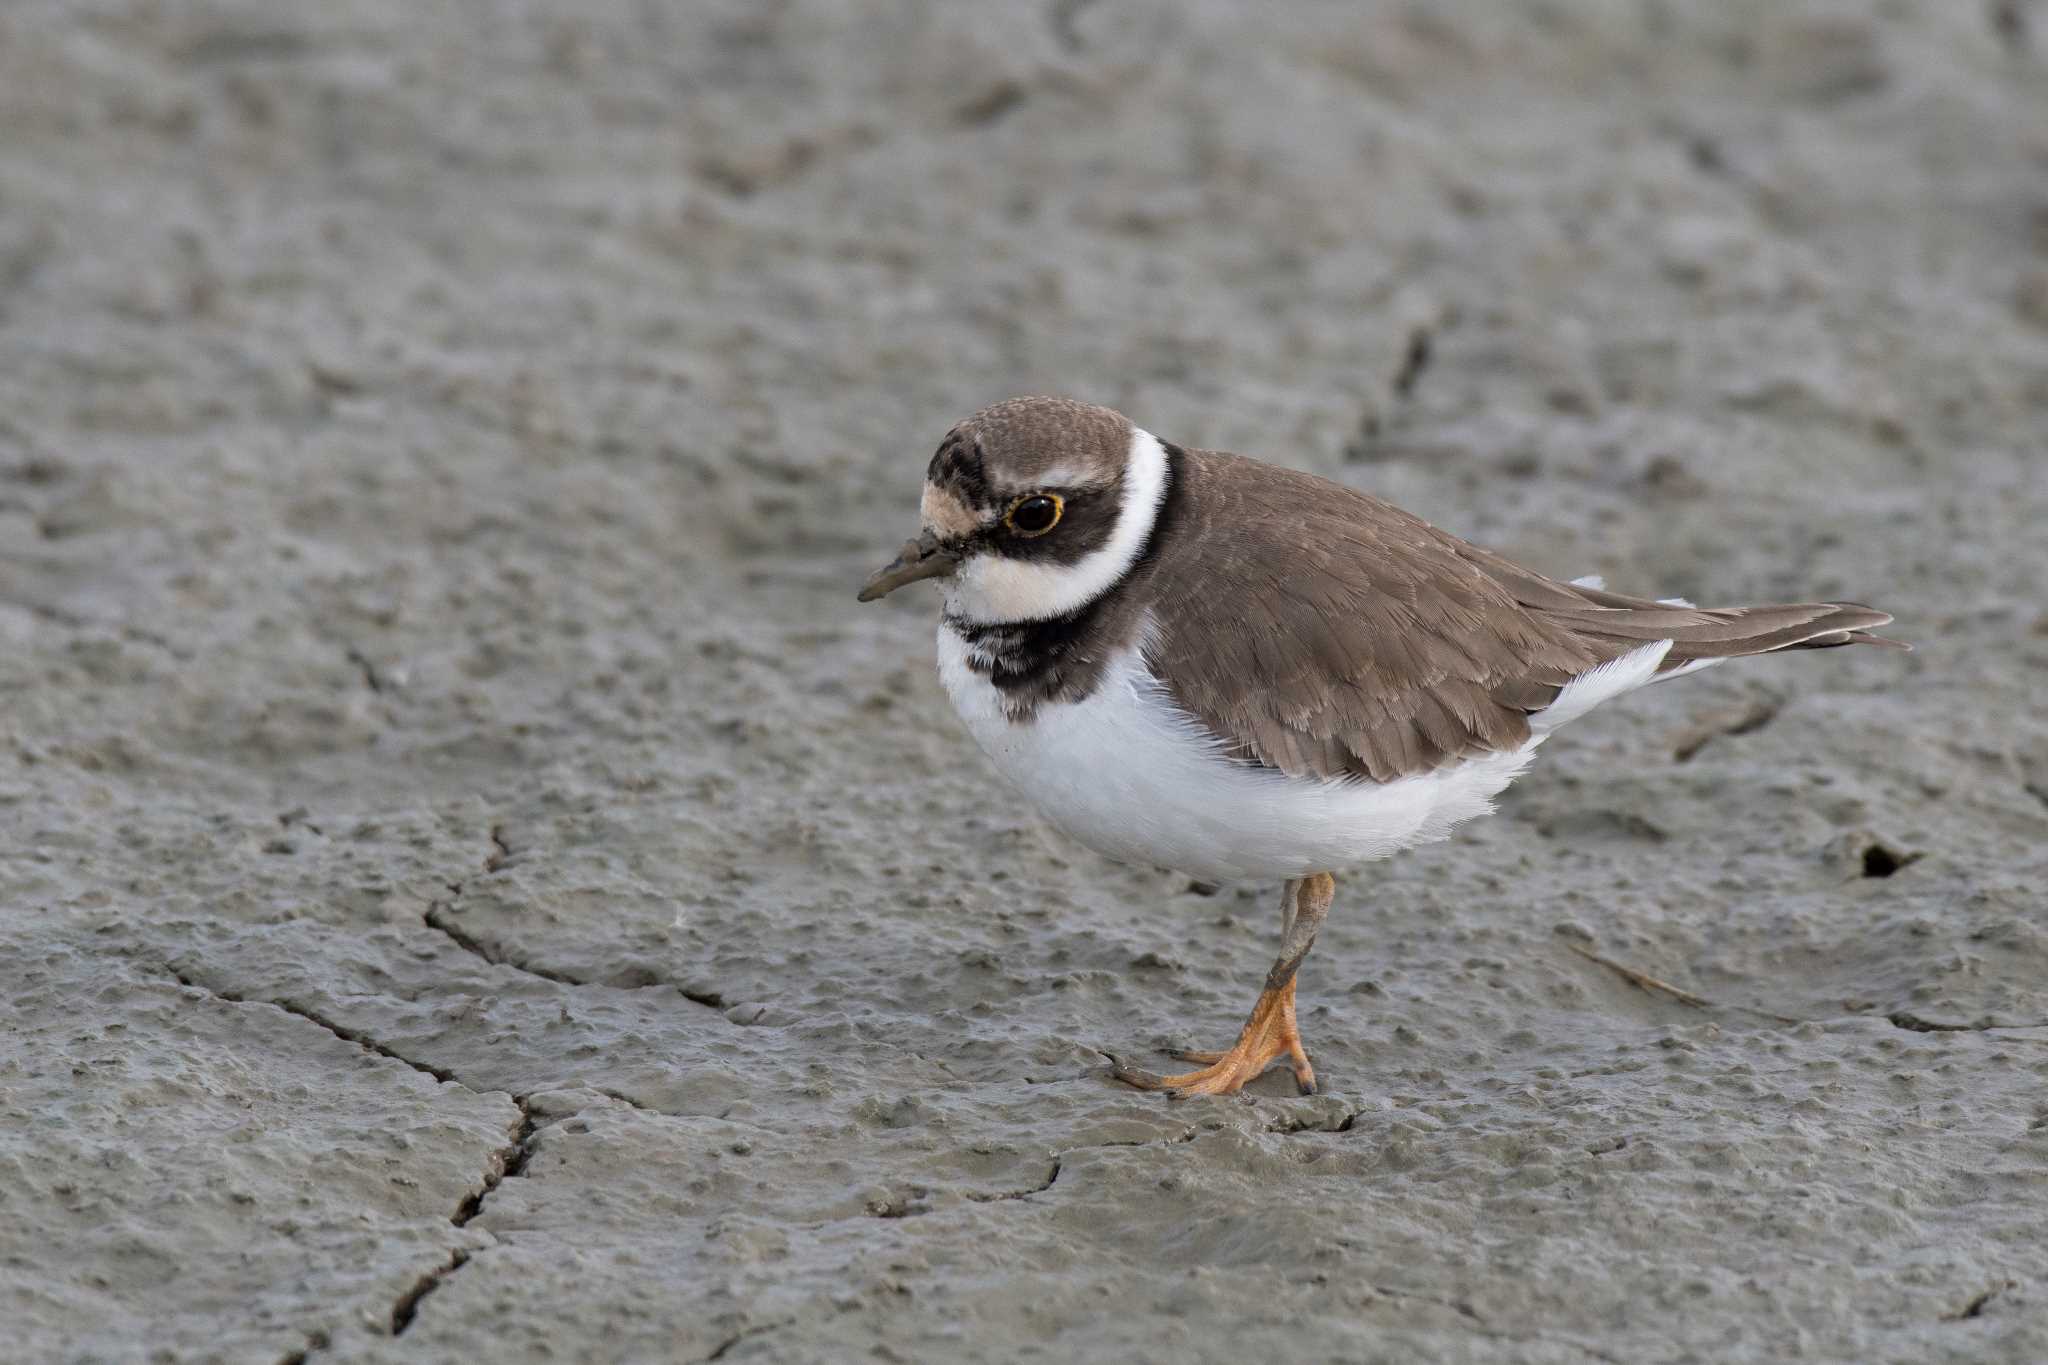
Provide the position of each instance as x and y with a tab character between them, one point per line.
1328	633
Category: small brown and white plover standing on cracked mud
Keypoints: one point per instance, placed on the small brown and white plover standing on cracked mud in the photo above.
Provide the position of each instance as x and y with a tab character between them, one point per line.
1236	670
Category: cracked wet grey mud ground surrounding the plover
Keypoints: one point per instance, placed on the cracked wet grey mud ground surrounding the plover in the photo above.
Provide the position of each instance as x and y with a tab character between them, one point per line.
474	885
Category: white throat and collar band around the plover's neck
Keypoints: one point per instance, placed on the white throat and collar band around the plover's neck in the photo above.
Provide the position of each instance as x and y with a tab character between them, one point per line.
992	588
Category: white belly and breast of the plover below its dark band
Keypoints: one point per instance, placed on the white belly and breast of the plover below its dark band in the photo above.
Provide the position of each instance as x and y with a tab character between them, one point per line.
1134	777
